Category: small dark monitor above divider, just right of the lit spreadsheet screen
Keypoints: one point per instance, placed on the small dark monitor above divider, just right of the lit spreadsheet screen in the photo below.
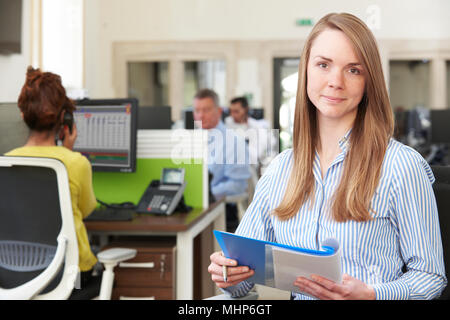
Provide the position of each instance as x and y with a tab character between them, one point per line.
155	117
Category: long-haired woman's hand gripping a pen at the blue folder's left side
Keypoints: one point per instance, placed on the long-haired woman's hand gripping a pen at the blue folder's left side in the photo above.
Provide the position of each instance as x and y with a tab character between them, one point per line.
235	273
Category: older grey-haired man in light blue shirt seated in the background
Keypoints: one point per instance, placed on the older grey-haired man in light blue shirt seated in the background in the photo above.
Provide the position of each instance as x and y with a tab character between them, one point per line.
228	159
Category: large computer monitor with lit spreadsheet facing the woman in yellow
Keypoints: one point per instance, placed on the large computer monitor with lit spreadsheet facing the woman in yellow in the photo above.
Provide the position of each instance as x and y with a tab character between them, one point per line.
107	131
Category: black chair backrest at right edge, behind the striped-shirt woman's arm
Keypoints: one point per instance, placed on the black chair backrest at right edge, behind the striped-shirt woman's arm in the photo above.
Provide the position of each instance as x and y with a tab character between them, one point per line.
442	192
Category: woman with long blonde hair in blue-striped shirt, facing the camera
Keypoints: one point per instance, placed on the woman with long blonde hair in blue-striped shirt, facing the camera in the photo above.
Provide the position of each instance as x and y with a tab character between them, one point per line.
346	178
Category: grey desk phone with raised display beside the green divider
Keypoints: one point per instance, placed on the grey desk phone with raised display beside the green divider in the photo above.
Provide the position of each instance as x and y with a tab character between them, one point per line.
162	196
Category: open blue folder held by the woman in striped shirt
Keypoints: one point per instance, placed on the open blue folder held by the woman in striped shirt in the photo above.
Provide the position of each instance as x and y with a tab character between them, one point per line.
252	253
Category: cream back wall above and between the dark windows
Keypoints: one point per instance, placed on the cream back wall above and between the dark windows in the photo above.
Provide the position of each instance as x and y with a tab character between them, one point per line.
249	24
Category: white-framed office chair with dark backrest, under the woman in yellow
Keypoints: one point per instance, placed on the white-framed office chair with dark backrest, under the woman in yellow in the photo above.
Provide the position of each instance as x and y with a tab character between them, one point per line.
38	244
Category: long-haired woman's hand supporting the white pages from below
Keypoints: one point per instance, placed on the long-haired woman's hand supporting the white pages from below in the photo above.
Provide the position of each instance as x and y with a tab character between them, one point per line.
324	289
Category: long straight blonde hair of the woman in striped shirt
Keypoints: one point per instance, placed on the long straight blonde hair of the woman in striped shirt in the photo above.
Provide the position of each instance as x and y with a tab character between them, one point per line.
372	129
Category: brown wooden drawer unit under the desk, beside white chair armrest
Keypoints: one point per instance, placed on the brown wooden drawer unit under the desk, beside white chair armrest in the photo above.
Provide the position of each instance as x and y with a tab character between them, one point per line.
150	275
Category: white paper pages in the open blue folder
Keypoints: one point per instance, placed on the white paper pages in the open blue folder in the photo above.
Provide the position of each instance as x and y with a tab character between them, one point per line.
289	264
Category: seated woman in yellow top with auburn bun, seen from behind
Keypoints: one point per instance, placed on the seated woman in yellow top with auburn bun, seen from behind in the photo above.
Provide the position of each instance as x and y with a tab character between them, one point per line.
48	113
